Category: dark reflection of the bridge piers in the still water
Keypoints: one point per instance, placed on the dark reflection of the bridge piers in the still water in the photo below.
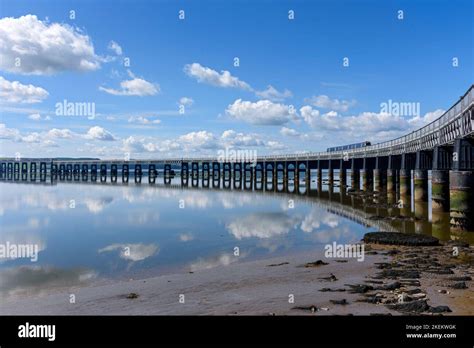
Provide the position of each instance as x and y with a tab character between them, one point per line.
384	209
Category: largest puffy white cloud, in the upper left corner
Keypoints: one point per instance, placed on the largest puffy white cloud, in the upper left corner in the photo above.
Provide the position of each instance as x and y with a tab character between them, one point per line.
44	48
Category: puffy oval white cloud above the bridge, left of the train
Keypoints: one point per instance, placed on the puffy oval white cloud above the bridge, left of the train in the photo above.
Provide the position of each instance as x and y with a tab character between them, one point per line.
263	112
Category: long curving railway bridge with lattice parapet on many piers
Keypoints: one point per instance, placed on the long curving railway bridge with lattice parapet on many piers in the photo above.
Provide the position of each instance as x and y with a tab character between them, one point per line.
445	147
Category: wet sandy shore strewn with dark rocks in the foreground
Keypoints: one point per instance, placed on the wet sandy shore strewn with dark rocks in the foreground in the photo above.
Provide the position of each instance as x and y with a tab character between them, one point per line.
265	287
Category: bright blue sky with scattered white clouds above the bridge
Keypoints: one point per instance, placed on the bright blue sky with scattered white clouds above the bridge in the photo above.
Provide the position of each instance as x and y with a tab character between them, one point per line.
314	100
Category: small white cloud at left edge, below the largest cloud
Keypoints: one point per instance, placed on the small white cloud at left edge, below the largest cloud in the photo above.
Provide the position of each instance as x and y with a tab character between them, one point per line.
15	92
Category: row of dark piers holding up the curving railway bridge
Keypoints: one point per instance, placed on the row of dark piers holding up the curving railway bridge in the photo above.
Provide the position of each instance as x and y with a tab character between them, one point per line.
404	175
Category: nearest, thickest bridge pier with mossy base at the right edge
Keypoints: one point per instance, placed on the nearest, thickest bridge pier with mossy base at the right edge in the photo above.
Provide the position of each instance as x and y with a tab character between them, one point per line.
461	186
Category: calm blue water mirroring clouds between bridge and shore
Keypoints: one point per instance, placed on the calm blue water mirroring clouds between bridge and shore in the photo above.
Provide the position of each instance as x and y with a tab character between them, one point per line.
95	232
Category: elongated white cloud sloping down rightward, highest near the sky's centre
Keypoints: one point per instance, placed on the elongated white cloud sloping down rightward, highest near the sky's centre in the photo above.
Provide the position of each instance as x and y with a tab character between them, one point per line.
212	77
